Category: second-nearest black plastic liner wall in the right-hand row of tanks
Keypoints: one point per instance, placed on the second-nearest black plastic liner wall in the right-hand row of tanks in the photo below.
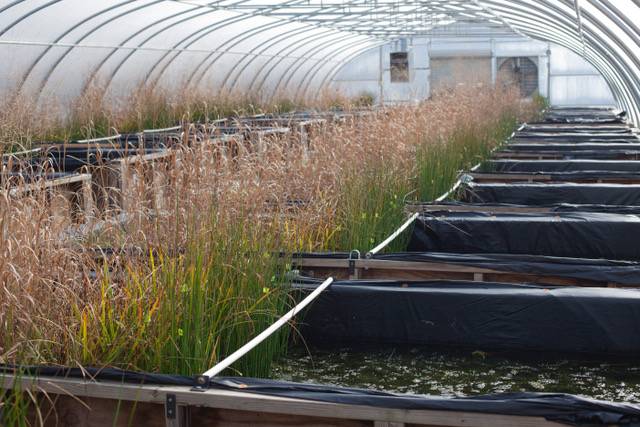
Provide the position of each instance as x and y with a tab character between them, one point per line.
571	235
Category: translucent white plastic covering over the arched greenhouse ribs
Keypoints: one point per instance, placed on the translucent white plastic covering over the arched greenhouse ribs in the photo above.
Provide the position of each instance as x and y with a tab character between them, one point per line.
61	46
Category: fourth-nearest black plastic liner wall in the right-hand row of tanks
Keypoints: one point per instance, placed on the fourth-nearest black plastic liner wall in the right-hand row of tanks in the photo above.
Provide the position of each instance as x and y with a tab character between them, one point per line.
560	165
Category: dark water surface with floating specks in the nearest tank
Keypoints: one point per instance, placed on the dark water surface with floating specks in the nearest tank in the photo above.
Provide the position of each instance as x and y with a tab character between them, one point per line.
460	373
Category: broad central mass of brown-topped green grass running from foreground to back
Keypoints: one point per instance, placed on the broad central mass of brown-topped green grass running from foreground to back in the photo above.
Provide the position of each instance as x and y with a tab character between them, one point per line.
189	283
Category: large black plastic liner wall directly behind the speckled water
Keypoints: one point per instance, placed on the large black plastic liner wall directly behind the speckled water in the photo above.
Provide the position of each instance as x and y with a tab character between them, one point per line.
480	316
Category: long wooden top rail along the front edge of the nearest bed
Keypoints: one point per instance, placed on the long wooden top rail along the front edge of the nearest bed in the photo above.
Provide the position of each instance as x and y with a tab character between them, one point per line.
243	401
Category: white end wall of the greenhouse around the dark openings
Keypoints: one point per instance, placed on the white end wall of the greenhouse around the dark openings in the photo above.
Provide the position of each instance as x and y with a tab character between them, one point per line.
563	77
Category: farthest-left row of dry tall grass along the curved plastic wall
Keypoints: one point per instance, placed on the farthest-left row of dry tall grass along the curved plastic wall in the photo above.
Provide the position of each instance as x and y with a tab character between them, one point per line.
96	114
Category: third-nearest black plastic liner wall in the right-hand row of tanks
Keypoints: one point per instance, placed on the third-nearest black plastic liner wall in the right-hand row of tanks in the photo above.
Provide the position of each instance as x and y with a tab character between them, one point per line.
553	193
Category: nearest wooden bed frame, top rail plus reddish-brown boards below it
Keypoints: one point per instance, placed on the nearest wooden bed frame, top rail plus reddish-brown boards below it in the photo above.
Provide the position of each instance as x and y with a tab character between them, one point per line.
76	402
